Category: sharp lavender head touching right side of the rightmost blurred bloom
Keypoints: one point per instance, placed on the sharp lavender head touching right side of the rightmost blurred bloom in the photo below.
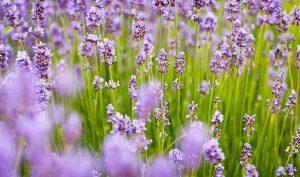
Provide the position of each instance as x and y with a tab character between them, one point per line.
212	151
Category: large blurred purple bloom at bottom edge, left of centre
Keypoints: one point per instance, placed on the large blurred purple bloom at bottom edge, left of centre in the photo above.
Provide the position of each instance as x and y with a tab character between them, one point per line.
118	160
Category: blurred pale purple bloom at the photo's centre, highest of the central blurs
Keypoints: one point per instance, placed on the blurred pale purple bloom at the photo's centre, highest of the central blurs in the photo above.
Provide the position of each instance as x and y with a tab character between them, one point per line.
149	95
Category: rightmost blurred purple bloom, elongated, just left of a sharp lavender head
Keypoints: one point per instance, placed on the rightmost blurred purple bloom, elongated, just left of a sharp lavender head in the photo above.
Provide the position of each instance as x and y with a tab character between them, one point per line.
193	139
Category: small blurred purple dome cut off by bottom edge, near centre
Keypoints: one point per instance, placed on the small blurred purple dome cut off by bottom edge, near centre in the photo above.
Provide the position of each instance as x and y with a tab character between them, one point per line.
161	167
